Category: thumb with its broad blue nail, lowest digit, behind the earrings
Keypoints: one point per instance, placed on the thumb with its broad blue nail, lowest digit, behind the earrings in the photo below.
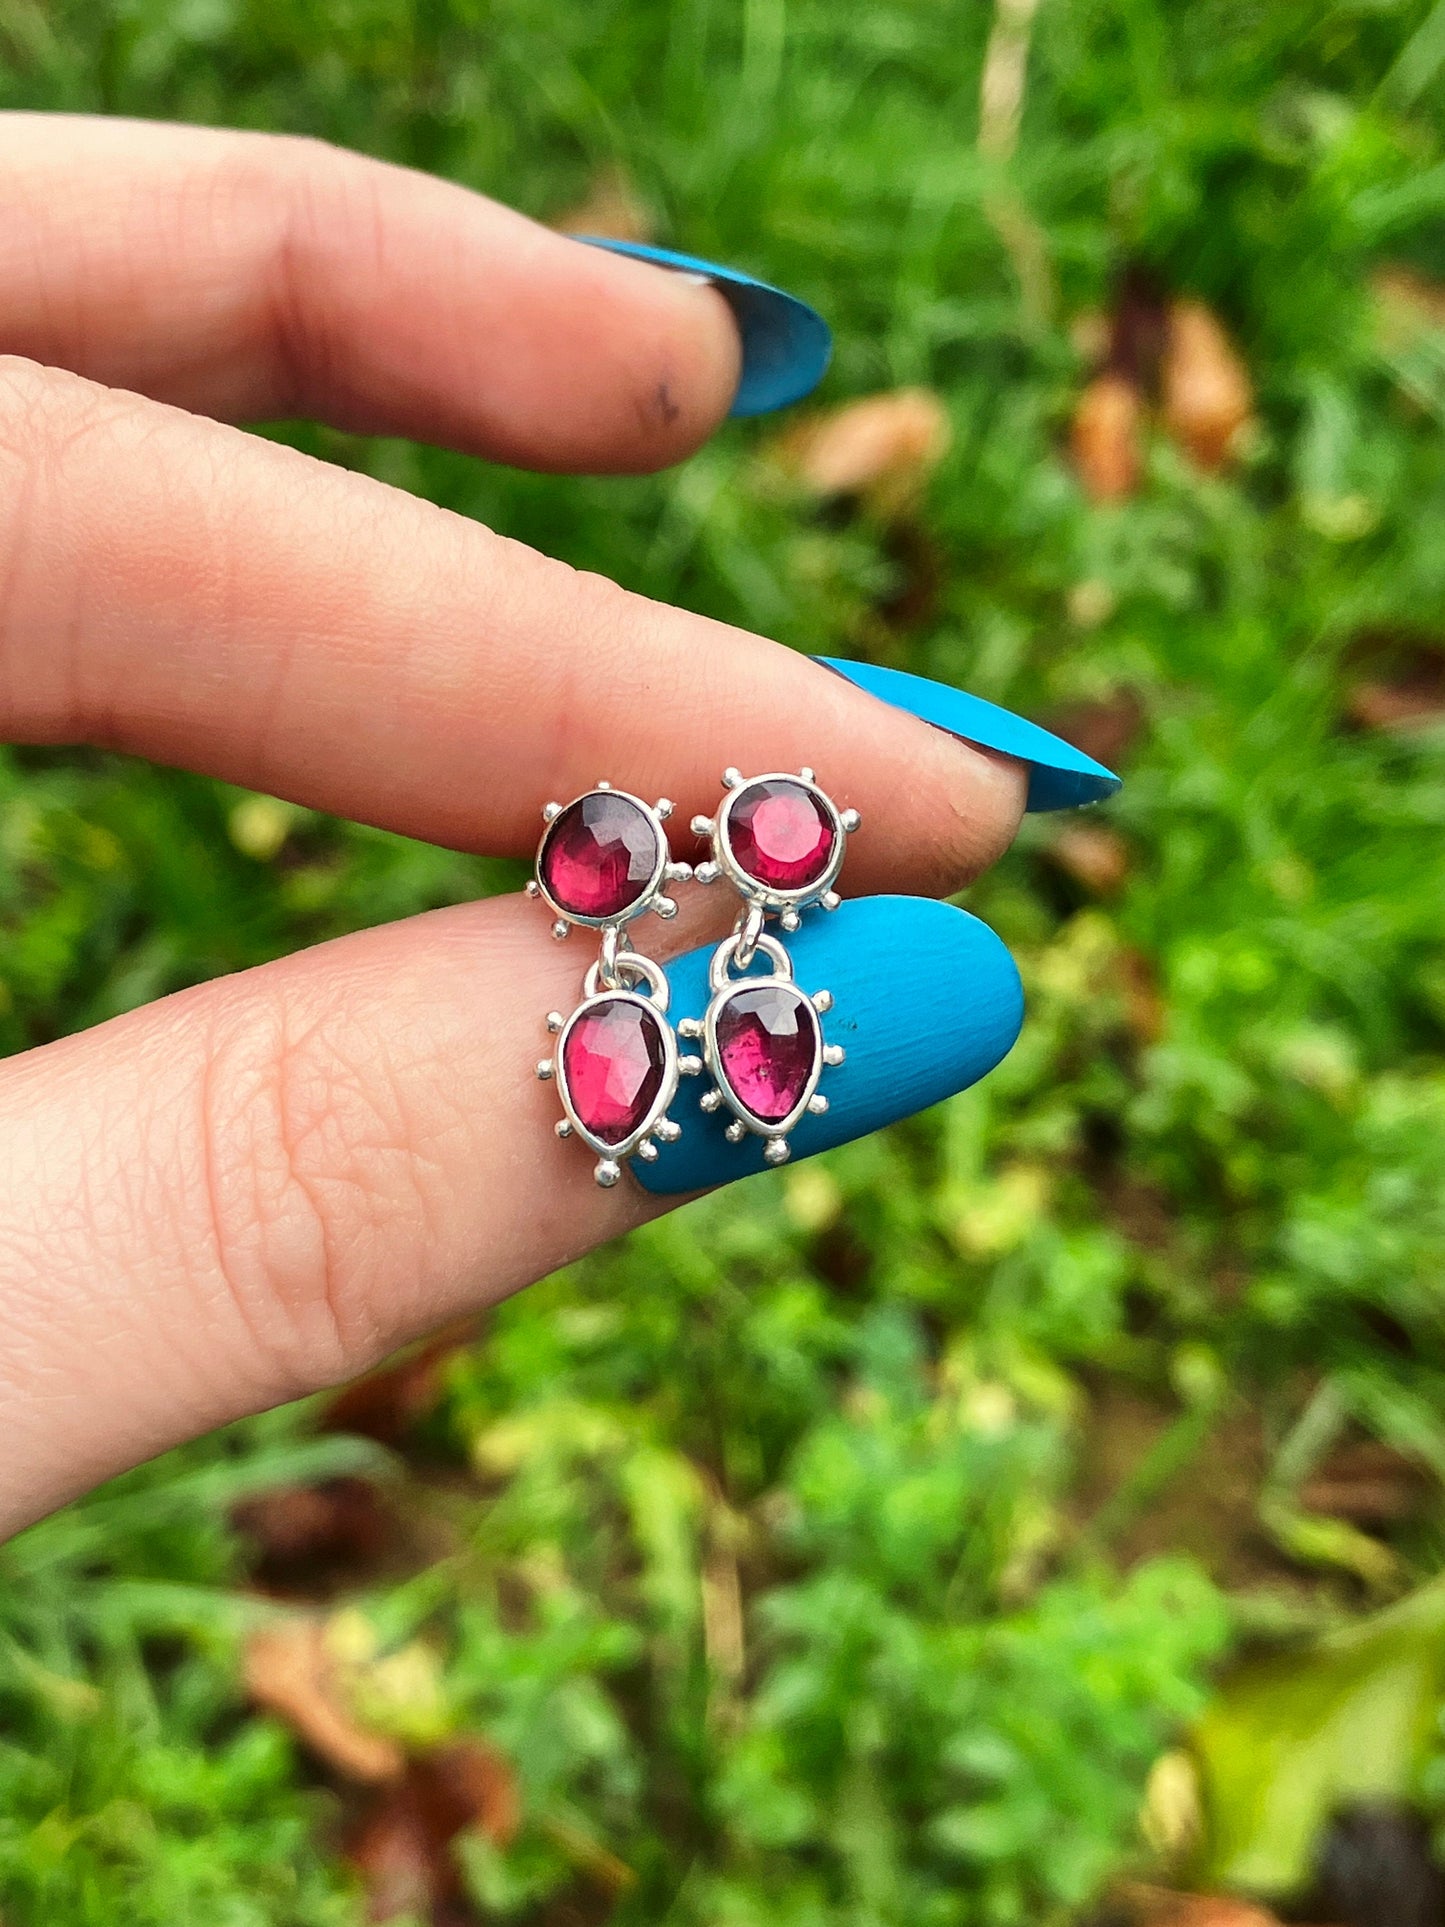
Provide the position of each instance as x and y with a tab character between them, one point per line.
267	1184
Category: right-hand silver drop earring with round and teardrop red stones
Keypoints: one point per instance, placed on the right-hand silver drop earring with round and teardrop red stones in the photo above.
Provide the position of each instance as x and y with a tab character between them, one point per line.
779	841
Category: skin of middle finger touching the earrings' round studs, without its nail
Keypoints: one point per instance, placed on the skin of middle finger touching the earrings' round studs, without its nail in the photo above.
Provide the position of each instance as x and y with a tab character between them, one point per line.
194	594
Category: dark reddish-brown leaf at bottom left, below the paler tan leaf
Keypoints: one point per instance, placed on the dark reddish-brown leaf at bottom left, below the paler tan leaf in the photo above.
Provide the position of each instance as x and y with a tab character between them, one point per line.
404	1845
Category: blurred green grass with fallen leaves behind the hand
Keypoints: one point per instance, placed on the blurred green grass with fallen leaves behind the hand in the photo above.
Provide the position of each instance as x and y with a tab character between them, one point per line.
1026	1514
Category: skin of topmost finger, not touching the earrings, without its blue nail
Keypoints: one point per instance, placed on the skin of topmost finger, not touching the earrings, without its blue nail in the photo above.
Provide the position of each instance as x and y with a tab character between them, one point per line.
251	277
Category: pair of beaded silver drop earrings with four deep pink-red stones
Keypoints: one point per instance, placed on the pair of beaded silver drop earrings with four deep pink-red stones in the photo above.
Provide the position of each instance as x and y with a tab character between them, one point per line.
602	864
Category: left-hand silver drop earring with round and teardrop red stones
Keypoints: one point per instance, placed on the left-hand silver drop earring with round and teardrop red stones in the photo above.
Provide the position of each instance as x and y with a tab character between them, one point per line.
604	860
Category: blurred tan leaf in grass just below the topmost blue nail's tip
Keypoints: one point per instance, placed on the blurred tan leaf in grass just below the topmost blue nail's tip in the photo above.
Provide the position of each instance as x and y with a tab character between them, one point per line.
881	444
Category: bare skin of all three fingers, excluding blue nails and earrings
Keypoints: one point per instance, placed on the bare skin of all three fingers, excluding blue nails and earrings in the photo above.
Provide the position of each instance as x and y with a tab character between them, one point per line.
265	1184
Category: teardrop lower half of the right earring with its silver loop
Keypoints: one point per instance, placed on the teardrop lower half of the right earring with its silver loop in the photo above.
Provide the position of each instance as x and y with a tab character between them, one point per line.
764	1045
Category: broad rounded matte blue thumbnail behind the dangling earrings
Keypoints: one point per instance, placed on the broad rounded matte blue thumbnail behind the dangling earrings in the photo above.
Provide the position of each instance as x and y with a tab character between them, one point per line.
926	1001
